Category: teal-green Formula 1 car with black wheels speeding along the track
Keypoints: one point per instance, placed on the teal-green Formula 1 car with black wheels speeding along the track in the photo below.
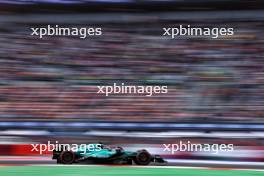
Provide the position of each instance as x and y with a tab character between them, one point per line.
101	154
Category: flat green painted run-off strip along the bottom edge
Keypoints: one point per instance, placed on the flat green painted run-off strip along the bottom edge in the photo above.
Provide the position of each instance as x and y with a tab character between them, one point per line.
114	171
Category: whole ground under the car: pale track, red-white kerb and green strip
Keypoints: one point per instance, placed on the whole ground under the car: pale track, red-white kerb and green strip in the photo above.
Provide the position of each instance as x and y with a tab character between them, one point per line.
43	166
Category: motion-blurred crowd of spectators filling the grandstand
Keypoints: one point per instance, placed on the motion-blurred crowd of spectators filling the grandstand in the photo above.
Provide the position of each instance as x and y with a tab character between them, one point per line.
56	78
